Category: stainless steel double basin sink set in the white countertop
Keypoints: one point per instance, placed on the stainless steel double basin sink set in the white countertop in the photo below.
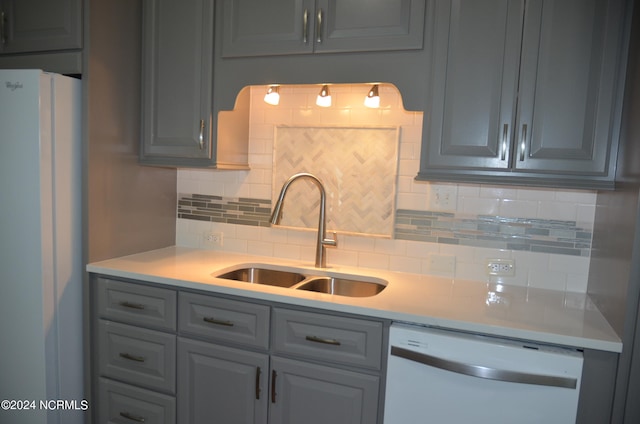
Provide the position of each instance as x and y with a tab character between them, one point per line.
341	285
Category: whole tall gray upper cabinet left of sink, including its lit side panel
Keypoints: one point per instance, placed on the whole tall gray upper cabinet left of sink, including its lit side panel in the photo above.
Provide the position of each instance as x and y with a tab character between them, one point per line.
180	126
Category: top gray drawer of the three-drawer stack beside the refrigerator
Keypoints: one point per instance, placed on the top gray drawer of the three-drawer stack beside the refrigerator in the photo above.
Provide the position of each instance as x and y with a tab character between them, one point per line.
136	304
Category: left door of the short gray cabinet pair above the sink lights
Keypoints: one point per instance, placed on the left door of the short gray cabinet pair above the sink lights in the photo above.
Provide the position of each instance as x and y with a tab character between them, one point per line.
258	27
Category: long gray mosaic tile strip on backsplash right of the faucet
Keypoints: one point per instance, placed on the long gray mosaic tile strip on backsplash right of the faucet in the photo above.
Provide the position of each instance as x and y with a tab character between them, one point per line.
523	234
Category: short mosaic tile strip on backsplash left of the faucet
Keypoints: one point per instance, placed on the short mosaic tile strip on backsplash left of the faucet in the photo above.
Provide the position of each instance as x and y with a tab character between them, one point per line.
241	211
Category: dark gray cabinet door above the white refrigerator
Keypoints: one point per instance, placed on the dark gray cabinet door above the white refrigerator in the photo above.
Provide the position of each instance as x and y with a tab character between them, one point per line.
40	25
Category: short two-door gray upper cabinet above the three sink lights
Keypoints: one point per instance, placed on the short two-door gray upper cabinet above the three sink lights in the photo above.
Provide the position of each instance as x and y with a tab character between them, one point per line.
261	28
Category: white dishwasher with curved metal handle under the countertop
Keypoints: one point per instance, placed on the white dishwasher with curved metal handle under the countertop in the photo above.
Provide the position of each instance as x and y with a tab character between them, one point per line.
442	377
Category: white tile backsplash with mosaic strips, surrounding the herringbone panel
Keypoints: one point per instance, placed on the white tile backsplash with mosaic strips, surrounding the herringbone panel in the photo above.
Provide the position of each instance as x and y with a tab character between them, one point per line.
442	229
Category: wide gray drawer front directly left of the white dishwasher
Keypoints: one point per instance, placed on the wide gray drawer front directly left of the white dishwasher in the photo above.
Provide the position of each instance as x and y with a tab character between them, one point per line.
341	340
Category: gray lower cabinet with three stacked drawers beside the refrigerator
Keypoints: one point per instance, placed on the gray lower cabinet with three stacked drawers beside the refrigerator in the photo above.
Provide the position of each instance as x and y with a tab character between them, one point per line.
133	352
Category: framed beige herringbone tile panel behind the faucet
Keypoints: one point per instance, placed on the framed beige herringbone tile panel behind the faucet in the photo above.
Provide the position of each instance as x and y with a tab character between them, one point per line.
357	167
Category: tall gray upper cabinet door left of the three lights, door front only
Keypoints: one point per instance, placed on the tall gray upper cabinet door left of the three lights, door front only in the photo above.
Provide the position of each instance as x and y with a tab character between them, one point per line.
177	79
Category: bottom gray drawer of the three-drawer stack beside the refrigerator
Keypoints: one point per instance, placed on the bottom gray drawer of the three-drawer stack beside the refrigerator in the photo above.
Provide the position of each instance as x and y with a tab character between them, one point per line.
121	403
